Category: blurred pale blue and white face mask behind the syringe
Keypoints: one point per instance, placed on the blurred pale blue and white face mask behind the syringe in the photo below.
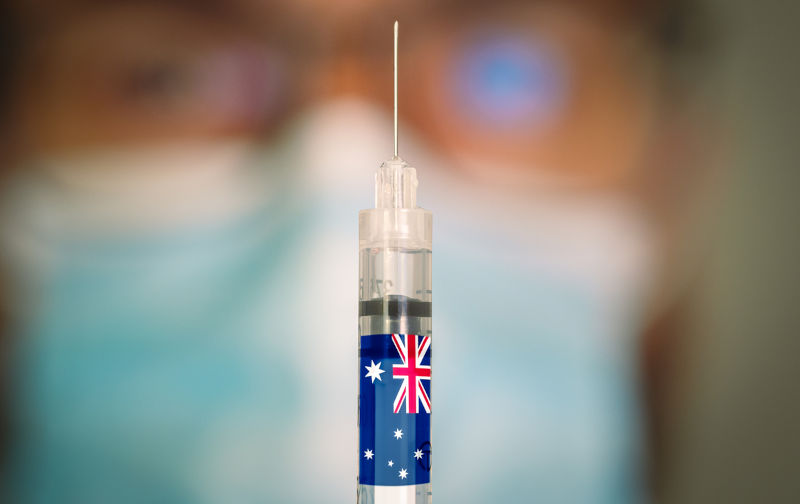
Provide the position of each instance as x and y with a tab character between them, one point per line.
211	360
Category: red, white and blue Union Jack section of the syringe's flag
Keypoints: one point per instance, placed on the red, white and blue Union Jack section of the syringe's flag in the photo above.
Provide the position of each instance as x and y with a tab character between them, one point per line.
411	351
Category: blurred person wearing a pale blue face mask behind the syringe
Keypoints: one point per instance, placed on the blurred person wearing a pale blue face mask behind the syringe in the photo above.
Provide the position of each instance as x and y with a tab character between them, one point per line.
180	226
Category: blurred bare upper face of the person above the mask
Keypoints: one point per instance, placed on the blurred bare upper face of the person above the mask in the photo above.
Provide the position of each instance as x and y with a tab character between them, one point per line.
526	90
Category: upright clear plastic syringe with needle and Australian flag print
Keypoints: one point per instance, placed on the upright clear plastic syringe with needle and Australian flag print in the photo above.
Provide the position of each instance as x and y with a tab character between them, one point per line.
394	327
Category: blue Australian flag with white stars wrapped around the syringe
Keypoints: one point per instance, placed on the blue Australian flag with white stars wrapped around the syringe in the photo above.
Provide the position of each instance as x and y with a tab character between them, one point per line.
395	410
